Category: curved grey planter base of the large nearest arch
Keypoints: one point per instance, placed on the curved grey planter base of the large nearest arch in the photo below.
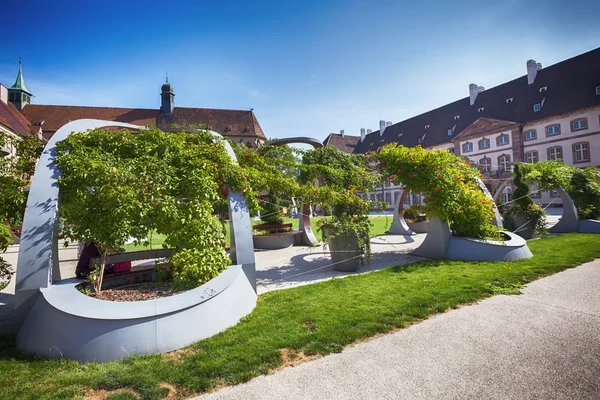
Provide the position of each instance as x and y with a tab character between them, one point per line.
66	323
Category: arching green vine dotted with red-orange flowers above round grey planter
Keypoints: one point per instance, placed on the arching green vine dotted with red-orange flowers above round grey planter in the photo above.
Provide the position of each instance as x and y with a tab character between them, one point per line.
449	183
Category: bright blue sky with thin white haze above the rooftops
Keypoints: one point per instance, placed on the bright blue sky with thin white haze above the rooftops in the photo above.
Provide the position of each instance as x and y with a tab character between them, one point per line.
307	68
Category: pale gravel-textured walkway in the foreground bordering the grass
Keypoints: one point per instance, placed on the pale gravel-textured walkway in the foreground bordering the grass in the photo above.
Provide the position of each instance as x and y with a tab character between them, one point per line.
543	344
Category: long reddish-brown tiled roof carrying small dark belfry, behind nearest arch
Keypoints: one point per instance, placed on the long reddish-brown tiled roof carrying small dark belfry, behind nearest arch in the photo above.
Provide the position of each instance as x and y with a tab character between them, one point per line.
226	122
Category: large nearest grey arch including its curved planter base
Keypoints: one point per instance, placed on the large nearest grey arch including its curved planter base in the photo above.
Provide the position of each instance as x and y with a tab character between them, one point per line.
56	320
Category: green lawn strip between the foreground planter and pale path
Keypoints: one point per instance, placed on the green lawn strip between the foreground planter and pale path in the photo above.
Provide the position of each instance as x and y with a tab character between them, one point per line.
315	319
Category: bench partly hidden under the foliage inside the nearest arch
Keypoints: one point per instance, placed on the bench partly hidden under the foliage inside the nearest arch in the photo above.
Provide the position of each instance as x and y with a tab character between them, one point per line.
137	273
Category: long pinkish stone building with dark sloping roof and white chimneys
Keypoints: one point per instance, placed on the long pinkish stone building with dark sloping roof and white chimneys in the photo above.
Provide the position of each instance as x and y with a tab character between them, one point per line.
548	113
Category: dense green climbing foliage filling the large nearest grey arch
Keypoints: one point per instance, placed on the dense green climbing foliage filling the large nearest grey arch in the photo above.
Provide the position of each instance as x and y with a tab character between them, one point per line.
115	185
